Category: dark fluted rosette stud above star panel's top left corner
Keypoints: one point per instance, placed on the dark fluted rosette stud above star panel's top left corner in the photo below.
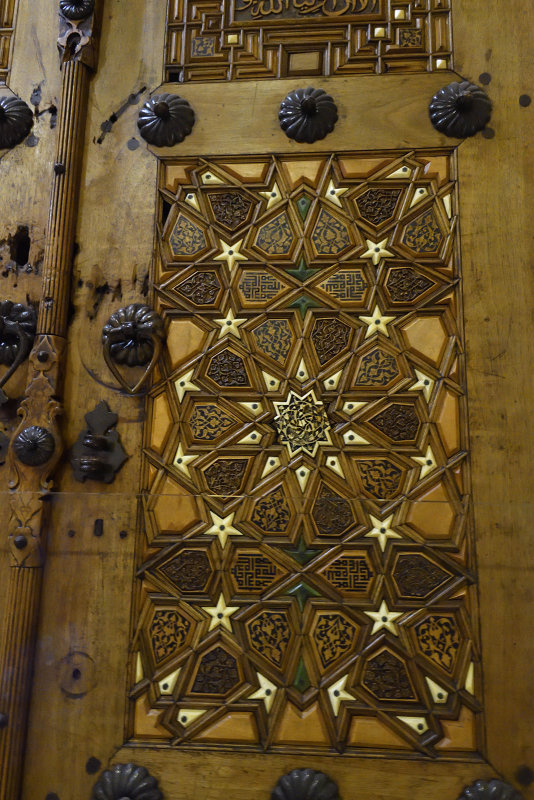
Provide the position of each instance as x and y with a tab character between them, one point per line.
165	120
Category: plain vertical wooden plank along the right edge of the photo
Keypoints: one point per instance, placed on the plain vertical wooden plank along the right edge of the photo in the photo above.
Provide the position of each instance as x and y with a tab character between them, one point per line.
496	200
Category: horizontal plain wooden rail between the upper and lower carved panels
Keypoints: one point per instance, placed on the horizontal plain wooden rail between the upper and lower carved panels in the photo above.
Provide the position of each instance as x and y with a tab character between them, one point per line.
372	113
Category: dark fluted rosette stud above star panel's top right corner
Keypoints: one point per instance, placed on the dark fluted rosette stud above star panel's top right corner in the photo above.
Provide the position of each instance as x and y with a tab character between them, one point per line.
460	109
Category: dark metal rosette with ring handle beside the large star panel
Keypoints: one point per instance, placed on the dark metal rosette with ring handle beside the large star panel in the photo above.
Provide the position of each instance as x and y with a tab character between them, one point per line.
133	337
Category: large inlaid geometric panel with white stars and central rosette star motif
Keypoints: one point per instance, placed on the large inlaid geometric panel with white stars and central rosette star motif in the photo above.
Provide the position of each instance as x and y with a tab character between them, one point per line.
306	575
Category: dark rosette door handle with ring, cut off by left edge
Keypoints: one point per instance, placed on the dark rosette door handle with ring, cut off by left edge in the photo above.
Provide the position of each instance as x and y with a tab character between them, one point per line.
17	331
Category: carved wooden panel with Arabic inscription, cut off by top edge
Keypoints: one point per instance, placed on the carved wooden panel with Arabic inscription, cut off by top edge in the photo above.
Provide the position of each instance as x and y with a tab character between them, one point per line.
240	39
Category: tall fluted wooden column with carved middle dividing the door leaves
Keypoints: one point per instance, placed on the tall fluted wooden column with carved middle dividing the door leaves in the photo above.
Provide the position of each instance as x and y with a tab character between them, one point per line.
36	445
